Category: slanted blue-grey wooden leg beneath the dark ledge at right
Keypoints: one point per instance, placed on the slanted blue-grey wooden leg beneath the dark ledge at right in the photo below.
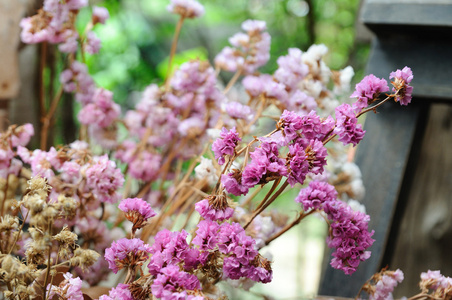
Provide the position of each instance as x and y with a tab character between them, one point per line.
383	157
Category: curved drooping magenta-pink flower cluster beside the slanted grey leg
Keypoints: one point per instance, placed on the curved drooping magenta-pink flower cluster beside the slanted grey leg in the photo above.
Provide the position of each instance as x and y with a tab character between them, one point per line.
349	229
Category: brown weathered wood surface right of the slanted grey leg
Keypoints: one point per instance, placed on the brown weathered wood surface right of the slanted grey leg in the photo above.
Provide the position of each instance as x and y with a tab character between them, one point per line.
424	240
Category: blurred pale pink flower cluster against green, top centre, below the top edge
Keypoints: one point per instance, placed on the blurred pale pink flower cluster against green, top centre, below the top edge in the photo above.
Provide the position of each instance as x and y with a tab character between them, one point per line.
250	51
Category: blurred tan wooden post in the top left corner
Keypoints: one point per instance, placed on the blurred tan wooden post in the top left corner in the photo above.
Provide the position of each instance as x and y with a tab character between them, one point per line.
11	12
